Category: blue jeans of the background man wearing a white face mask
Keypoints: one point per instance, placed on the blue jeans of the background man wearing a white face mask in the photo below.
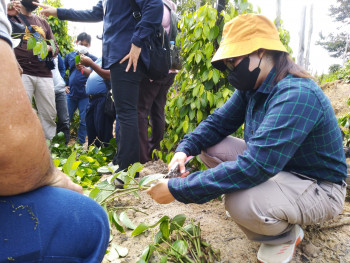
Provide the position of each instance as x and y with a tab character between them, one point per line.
81	104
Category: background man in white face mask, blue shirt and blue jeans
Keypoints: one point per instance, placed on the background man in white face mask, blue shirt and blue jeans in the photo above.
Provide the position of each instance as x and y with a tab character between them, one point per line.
76	84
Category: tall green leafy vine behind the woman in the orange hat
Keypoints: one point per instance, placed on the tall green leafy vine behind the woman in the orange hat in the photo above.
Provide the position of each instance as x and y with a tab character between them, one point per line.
199	87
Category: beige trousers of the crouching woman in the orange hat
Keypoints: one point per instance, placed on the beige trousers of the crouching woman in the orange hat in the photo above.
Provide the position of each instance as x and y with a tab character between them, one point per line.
267	212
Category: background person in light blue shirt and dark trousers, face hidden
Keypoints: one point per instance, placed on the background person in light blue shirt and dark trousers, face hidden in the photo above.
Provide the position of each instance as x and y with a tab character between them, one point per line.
99	124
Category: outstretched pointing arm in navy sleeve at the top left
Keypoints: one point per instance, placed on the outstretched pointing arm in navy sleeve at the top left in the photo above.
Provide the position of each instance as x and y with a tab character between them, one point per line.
93	15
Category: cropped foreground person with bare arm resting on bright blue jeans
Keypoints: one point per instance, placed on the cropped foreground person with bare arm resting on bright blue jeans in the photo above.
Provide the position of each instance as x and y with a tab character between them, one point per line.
44	217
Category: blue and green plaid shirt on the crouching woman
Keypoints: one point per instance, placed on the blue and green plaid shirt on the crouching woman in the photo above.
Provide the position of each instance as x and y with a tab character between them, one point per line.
289	126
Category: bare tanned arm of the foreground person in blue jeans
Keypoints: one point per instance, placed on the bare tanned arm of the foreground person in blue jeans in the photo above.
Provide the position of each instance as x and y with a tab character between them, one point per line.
24	157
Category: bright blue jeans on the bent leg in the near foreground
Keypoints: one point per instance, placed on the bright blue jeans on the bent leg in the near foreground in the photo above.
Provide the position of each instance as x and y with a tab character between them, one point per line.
52	224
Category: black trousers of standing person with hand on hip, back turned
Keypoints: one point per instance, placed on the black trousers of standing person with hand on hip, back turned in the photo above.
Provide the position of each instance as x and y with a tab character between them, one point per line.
125	87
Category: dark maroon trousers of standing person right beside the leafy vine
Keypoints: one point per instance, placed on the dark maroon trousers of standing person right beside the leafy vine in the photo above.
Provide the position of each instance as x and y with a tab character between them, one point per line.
152	101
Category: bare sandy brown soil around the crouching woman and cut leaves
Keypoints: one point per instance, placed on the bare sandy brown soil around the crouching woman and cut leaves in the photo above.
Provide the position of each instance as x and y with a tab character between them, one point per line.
322	243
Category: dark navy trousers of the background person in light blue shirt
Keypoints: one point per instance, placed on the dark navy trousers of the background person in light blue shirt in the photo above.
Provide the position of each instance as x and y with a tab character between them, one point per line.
99	125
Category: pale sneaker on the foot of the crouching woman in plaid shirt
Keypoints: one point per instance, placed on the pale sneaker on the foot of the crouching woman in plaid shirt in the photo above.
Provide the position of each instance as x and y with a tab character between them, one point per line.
282	253
